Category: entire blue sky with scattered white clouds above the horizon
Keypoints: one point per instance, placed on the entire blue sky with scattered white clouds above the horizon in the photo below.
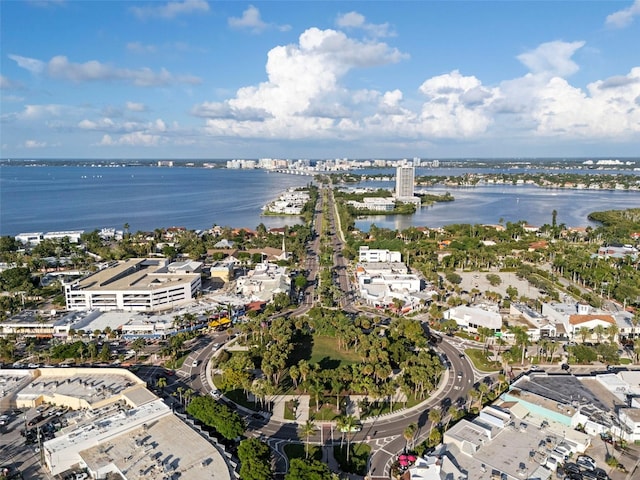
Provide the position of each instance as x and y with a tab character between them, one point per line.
304	79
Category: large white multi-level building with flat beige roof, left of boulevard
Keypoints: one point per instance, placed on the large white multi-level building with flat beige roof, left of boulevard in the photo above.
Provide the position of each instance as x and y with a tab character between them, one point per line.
136	284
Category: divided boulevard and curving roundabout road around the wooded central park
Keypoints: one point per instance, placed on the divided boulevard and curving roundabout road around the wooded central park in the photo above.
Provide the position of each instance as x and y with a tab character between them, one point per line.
383	434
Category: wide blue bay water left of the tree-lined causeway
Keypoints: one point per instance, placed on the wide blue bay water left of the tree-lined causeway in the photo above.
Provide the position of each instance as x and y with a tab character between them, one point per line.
84	198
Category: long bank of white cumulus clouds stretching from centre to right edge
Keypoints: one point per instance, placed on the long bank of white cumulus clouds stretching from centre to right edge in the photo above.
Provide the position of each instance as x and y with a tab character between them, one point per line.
305	96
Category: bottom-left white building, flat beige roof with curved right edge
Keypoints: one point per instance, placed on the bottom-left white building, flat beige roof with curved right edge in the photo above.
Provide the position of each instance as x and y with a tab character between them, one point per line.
139	443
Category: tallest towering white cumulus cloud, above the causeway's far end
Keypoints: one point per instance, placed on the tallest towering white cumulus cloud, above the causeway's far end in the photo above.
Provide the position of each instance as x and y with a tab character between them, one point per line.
299	78
